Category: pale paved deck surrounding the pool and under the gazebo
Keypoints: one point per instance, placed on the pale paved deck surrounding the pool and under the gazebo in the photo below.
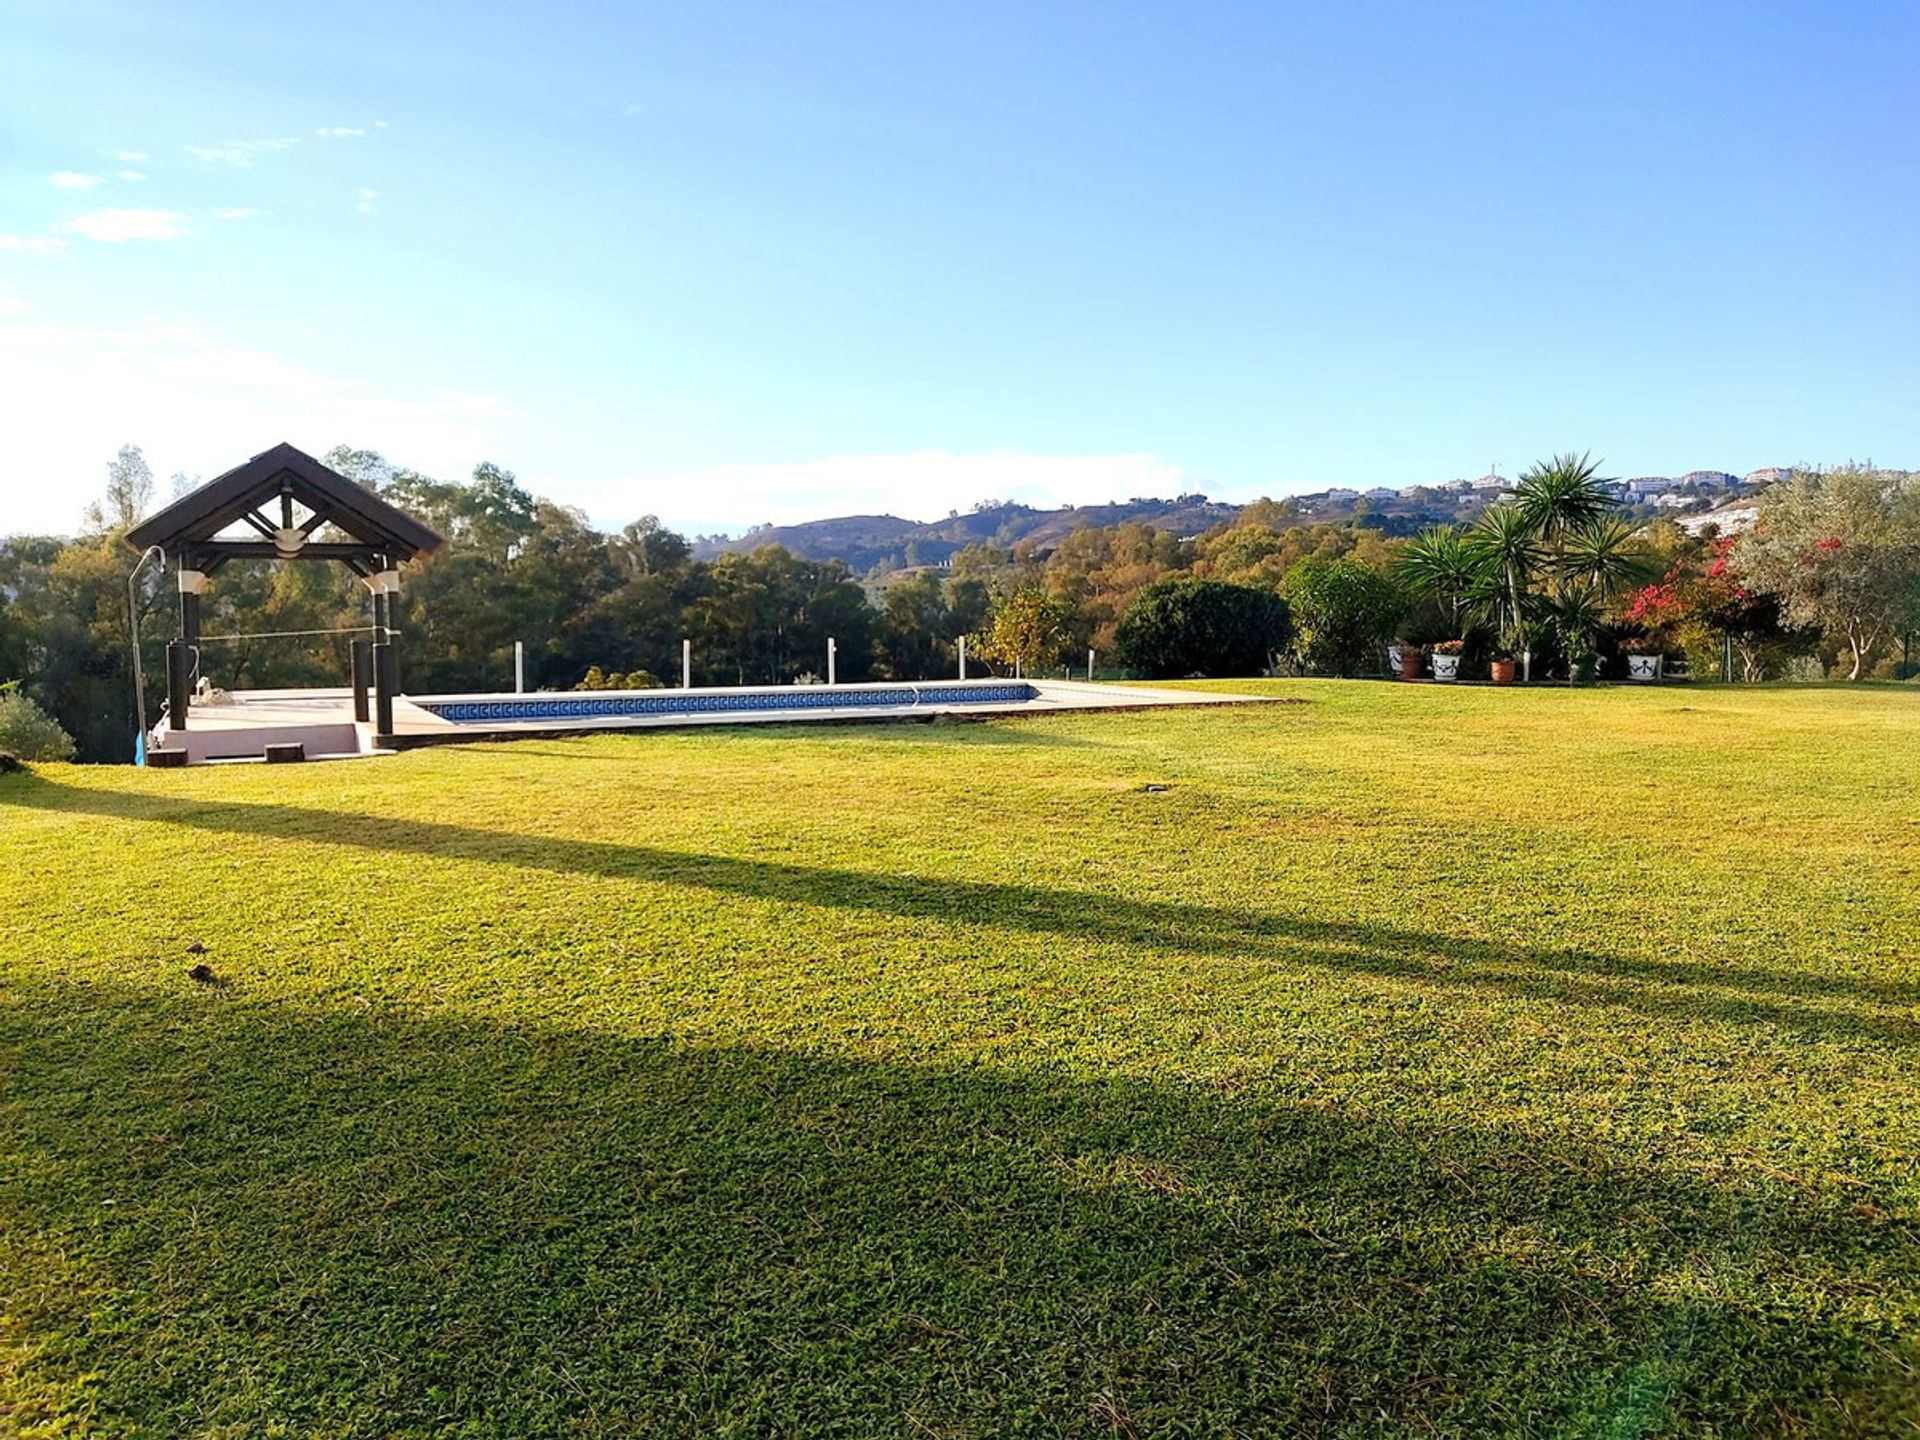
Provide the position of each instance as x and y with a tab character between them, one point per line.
324	719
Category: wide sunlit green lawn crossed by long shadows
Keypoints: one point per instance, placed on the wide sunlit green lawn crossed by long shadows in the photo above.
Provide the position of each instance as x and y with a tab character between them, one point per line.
1422	1063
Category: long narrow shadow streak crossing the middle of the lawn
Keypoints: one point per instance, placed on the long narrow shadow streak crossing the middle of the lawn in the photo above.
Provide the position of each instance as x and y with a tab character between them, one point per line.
1823	1007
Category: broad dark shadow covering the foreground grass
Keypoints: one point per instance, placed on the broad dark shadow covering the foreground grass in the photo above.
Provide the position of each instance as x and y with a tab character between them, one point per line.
270	1218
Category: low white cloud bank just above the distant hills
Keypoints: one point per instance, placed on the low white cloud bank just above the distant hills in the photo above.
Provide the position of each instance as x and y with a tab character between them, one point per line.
921	485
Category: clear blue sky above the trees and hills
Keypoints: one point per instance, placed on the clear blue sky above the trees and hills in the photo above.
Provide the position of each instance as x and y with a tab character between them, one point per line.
732	264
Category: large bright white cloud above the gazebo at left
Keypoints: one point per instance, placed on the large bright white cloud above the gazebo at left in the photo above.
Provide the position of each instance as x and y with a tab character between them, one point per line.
203	404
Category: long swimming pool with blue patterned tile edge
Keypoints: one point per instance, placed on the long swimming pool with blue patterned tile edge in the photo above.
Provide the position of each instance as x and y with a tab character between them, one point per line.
767	700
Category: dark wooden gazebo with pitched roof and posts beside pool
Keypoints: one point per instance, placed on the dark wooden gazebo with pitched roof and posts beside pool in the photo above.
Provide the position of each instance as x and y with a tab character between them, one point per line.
285	506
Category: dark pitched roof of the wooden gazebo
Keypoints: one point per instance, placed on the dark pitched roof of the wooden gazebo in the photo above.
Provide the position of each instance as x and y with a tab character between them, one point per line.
191	527
